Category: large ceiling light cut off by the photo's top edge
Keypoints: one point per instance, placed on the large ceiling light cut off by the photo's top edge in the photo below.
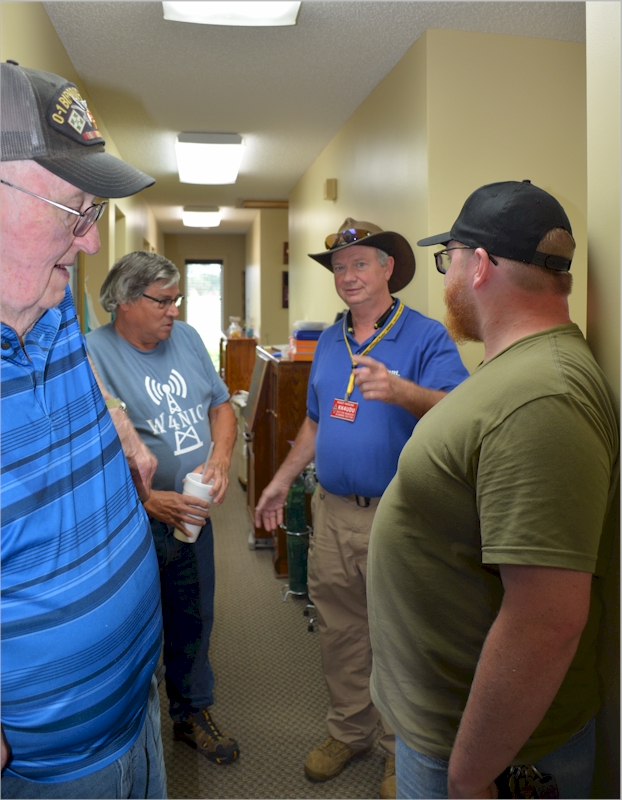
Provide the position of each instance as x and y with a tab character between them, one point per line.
251	14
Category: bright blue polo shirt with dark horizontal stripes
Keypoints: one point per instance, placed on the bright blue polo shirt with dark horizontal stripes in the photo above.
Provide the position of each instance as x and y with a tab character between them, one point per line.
81	620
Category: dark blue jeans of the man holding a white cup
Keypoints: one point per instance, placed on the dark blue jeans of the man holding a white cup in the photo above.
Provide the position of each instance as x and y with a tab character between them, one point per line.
187	589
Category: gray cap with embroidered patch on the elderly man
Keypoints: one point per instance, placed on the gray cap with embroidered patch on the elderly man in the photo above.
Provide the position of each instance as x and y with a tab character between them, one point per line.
44	118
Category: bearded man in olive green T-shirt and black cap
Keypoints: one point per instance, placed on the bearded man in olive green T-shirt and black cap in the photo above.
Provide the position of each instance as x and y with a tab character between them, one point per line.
487	546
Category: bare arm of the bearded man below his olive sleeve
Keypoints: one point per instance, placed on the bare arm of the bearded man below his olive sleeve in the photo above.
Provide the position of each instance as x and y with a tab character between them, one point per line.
522	665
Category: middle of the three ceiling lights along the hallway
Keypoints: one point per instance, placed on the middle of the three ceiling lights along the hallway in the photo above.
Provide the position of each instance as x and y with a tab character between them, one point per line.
209	157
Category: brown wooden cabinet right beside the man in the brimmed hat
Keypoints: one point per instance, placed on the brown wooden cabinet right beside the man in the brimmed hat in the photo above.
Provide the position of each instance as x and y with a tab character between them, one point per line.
277	407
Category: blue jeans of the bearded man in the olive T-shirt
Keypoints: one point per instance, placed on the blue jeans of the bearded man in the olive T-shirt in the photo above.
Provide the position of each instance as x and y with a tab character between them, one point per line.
572	766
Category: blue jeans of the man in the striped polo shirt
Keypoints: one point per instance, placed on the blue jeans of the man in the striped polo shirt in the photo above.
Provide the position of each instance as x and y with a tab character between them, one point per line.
139	773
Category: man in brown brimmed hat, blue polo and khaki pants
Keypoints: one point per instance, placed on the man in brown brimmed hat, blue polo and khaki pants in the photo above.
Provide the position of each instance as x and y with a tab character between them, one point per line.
375	373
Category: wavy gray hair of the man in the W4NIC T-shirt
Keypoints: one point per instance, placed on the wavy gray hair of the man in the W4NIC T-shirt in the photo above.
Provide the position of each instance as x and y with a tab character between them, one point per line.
132	274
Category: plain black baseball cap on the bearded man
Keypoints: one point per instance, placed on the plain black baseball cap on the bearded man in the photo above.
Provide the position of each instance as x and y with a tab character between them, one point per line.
509	219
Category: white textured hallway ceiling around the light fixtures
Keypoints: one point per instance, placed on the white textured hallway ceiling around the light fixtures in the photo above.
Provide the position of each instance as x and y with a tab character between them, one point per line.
286	90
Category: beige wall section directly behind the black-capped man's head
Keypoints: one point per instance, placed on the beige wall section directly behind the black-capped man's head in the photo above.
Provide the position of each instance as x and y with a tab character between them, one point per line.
505	108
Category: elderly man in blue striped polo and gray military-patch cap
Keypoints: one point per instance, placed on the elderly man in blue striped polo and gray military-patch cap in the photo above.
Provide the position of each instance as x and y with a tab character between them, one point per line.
81	620
